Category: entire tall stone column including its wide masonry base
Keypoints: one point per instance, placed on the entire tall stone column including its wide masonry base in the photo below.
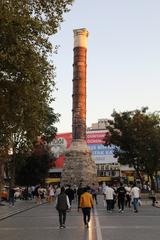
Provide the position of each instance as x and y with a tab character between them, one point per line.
79	167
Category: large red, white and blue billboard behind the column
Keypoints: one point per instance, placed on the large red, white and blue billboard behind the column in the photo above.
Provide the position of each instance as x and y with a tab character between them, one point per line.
100	153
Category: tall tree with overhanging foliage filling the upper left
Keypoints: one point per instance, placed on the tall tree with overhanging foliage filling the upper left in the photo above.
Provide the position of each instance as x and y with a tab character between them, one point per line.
26	74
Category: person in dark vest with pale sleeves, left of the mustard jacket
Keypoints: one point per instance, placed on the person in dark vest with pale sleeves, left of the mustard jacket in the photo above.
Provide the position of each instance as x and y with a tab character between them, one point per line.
62	205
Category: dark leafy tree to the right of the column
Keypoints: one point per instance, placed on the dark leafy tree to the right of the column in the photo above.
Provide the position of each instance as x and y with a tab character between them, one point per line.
136	136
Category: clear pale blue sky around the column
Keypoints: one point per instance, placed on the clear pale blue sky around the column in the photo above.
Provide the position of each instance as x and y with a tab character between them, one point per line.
123	58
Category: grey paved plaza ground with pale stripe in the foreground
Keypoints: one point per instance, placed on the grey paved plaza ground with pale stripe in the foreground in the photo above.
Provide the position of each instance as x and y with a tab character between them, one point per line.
27	221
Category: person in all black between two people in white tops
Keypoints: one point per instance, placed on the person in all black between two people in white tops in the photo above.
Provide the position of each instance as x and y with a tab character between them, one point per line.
121	193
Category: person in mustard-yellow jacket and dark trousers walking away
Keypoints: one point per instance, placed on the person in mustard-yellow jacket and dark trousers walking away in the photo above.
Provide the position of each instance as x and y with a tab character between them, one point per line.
86	203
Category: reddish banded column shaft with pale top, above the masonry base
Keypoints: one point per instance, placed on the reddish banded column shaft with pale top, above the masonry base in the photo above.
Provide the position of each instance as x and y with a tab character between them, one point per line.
79	84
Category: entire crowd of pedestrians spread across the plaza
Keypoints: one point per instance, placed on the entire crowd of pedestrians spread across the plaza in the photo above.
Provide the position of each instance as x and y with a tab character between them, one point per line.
115	197
